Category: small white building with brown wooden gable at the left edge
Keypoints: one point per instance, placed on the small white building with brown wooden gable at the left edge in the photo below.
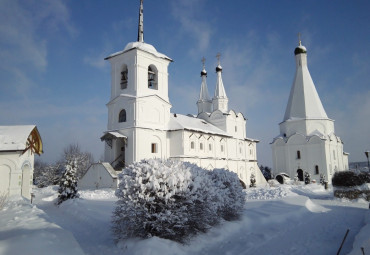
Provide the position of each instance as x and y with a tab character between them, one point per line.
18	144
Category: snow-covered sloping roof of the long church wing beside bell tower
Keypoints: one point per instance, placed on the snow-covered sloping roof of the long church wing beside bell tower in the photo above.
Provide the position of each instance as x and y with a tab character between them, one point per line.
183	122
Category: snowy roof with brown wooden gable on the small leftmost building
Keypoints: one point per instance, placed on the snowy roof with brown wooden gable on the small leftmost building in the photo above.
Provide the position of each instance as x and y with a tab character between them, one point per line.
14	138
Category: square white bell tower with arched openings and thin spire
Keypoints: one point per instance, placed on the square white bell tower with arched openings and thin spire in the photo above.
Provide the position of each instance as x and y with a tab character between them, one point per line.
139	101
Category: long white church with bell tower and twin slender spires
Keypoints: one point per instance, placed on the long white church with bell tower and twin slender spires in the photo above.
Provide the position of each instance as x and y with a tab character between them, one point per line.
141	126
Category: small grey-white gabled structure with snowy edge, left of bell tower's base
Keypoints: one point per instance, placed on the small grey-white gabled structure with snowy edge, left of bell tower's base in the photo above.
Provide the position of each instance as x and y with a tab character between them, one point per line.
99	176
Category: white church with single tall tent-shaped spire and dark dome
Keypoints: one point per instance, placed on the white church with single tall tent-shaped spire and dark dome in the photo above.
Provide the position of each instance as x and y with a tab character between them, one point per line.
307	142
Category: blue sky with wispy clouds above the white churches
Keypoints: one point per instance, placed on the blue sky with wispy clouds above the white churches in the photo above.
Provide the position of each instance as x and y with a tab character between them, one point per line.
52	72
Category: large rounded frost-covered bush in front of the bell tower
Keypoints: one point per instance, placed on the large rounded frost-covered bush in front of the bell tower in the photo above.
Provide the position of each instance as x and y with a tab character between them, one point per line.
173	200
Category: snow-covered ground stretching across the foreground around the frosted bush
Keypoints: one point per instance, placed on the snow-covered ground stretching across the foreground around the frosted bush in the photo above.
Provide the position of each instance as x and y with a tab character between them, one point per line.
286	219
